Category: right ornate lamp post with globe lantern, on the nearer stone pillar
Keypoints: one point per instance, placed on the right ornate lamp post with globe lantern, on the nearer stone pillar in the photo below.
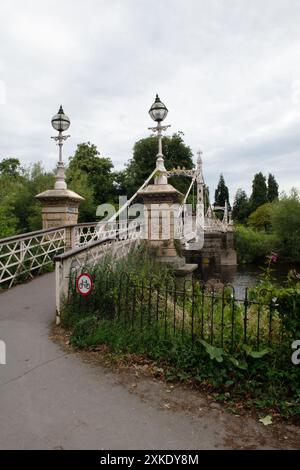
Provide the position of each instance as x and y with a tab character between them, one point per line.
158	113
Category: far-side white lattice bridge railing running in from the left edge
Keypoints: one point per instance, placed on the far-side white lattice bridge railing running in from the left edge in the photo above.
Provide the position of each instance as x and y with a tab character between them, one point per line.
24	256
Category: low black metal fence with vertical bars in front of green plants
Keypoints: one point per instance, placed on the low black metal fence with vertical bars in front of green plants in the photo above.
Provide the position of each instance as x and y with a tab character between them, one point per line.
187	310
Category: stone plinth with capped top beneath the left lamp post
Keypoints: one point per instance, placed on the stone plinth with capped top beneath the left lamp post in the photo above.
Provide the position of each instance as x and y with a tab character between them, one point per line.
59	207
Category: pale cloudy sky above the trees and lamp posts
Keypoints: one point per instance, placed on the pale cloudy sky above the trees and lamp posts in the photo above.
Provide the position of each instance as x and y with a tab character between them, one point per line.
228	70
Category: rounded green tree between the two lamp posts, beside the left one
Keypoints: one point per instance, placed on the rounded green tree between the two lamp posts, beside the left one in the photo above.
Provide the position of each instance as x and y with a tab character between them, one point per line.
97	169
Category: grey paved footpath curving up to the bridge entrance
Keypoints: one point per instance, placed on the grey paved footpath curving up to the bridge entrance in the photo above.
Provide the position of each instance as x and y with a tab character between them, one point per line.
52	400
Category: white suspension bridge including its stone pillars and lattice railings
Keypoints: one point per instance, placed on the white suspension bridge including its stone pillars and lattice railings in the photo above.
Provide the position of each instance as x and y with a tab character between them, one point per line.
72	246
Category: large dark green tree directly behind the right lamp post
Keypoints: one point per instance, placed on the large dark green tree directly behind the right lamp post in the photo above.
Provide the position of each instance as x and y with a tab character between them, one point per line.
176	153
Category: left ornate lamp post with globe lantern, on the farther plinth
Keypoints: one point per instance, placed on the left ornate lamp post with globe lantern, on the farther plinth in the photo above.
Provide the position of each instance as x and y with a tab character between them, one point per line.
60	122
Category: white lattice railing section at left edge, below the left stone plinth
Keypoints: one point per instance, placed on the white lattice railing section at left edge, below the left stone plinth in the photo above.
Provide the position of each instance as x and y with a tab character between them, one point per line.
26	254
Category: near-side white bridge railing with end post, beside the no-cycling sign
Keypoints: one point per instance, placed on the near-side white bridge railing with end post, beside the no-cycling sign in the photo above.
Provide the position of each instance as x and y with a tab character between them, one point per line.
85	257
